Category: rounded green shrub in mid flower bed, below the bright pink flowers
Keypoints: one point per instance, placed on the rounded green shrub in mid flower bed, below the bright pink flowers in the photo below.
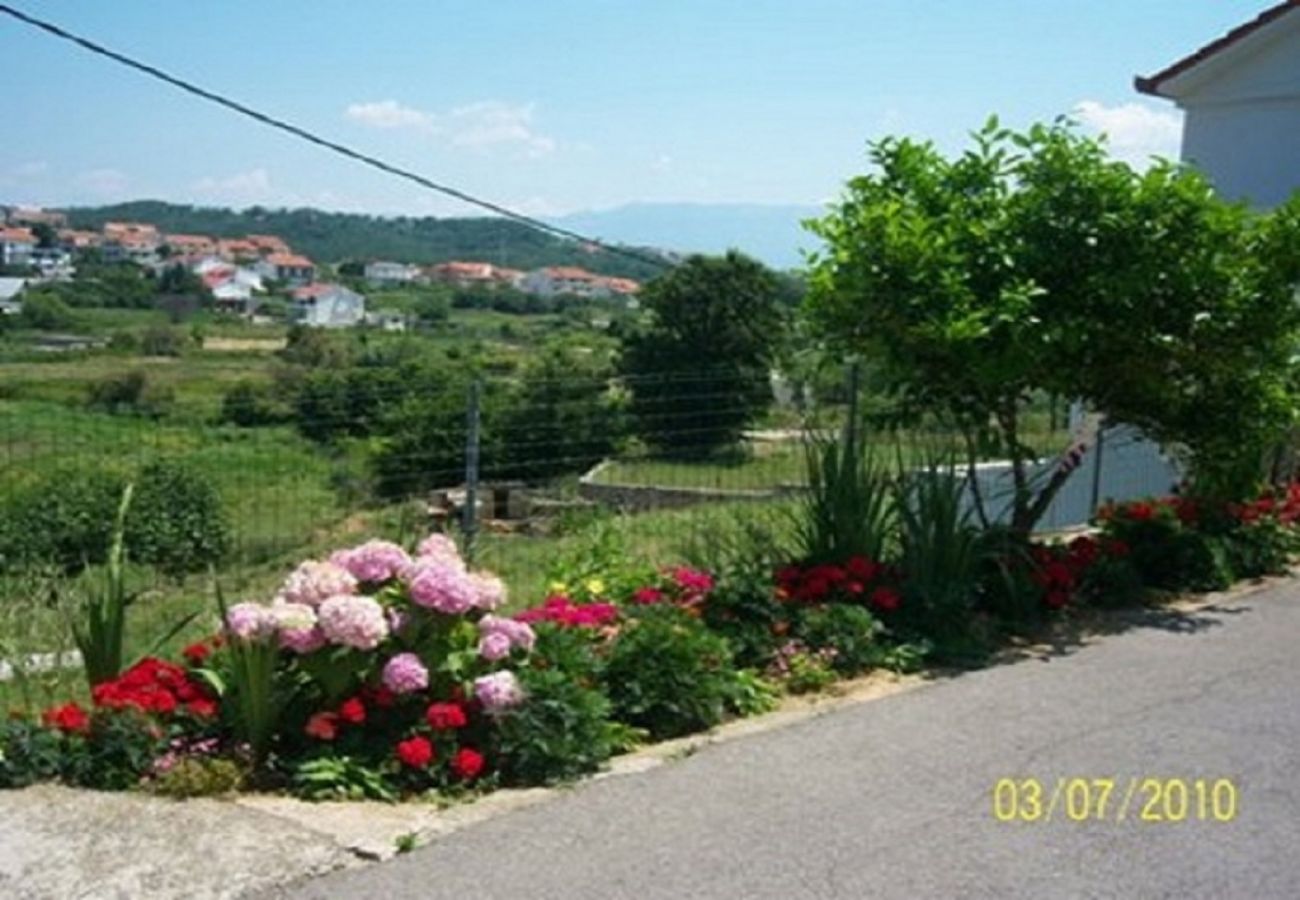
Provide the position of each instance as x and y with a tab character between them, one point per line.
669	674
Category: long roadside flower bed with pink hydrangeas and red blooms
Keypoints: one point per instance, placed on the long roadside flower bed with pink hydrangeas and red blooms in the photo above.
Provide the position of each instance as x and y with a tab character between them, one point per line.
385	674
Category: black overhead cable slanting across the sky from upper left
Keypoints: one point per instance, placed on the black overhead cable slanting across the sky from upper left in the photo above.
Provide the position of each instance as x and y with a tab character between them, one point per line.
154	72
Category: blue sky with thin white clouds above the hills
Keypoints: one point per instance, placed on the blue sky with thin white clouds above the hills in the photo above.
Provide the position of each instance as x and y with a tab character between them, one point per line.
566	105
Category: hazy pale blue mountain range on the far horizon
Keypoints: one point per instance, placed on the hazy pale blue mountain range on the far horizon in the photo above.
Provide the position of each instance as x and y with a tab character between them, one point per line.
770	233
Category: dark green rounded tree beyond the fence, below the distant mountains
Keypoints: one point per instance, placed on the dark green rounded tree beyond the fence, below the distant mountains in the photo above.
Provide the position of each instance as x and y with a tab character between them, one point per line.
700	369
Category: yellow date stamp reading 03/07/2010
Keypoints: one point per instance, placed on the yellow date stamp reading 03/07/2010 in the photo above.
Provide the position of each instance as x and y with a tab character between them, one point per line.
1155	801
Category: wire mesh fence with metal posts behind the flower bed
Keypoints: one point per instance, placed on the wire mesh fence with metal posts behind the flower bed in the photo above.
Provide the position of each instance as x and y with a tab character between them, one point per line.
525	470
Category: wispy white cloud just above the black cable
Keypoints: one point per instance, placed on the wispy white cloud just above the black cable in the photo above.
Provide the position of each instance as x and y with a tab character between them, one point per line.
476	126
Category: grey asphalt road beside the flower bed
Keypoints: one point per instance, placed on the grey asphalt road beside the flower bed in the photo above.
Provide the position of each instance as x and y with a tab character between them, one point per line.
894	798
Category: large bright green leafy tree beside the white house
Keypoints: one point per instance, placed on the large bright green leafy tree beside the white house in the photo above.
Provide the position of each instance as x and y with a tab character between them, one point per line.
1034	263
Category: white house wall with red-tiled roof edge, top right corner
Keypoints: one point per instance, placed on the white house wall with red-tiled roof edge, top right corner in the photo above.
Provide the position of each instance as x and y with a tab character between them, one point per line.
1241	96
